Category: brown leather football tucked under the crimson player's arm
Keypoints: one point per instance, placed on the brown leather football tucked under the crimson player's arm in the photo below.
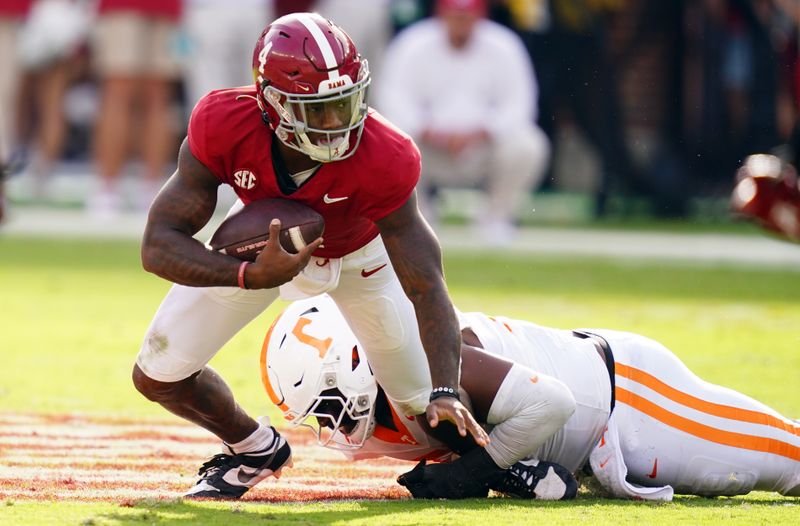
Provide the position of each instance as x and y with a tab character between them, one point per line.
244	233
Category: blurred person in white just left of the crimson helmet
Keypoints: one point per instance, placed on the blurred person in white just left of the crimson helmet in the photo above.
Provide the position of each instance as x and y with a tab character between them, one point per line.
220	36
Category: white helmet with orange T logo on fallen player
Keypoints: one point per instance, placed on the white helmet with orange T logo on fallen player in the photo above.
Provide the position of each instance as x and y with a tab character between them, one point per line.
313	366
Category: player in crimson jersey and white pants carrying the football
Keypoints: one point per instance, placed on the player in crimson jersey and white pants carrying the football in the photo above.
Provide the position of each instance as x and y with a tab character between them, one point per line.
302	132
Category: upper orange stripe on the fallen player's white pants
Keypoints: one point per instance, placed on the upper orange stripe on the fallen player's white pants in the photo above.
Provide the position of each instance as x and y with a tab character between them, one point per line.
711	408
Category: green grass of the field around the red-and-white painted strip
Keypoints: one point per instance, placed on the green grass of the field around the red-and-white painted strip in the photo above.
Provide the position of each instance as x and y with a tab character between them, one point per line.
74	313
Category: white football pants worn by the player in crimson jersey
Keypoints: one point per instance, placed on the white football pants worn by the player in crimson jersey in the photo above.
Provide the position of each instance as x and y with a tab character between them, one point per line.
194	323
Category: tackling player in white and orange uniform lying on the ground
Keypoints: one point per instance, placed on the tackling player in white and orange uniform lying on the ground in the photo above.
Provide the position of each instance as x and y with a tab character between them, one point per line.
645	424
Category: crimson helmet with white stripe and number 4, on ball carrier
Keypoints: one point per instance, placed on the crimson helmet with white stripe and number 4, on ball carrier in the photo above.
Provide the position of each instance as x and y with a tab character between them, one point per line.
311	85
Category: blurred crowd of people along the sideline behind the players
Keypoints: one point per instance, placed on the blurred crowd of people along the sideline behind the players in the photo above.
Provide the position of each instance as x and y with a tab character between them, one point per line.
631	103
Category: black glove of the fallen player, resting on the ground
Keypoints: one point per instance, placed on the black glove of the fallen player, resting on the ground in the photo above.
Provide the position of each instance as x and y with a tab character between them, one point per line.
466	477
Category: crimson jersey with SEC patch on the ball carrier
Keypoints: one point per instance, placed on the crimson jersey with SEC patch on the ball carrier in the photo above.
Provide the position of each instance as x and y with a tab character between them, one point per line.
226	133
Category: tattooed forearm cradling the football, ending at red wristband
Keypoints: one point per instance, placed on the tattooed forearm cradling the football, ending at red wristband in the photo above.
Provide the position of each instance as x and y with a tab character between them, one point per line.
182	259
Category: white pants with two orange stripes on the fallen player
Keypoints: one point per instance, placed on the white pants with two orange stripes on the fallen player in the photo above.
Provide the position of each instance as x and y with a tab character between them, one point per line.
676	429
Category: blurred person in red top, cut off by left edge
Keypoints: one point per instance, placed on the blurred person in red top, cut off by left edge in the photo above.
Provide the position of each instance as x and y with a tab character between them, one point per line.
12	13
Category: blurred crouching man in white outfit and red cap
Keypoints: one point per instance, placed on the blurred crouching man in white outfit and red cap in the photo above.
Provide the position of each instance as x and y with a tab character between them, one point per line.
464	88
